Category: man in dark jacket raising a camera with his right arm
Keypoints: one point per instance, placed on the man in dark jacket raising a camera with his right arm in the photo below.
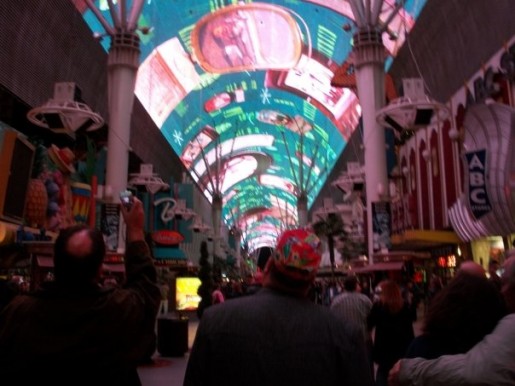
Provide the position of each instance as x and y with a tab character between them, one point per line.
73	331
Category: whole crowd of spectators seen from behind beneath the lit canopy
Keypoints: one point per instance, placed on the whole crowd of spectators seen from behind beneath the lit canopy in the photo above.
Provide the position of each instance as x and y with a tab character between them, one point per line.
275	335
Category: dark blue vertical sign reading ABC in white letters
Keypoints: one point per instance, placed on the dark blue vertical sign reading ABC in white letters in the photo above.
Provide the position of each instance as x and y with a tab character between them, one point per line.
477	197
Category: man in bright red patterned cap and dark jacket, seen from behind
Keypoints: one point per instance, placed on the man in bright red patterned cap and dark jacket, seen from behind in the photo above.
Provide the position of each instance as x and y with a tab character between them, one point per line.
278	336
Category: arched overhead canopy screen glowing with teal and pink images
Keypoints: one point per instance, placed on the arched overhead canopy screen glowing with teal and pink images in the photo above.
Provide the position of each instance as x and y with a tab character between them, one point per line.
242	92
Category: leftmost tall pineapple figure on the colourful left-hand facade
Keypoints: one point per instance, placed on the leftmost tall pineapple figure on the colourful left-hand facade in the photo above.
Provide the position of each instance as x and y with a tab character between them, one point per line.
37	196
